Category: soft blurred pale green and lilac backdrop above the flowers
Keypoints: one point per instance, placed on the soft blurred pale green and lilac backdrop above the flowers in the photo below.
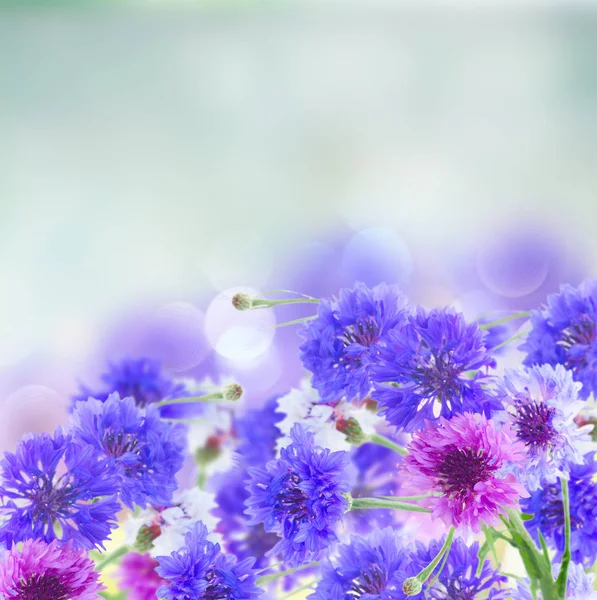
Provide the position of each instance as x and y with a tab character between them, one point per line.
152	157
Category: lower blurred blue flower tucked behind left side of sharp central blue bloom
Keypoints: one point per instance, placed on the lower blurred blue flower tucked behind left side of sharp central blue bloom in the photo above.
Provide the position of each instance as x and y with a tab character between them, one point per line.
240	538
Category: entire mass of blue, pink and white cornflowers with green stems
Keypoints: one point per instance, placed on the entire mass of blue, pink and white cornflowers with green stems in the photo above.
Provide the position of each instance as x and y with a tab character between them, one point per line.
407	438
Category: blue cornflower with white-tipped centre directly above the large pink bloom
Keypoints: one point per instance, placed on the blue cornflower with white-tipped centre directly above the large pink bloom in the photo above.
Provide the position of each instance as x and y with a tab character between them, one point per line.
431	367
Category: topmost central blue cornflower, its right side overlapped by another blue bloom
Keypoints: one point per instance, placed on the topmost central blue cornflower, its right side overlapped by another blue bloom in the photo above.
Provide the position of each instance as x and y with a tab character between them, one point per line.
341	342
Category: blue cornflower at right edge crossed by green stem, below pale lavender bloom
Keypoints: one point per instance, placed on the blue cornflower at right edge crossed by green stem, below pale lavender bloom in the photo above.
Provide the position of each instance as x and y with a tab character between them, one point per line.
546	506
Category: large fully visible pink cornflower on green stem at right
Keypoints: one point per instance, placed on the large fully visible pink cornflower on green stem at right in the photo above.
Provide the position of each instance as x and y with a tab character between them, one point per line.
467	466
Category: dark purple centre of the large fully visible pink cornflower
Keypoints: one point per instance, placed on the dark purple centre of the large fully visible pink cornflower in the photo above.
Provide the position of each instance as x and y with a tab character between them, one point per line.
461	469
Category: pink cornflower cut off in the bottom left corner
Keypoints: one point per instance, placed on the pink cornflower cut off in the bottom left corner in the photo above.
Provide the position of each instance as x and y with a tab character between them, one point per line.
42	571
